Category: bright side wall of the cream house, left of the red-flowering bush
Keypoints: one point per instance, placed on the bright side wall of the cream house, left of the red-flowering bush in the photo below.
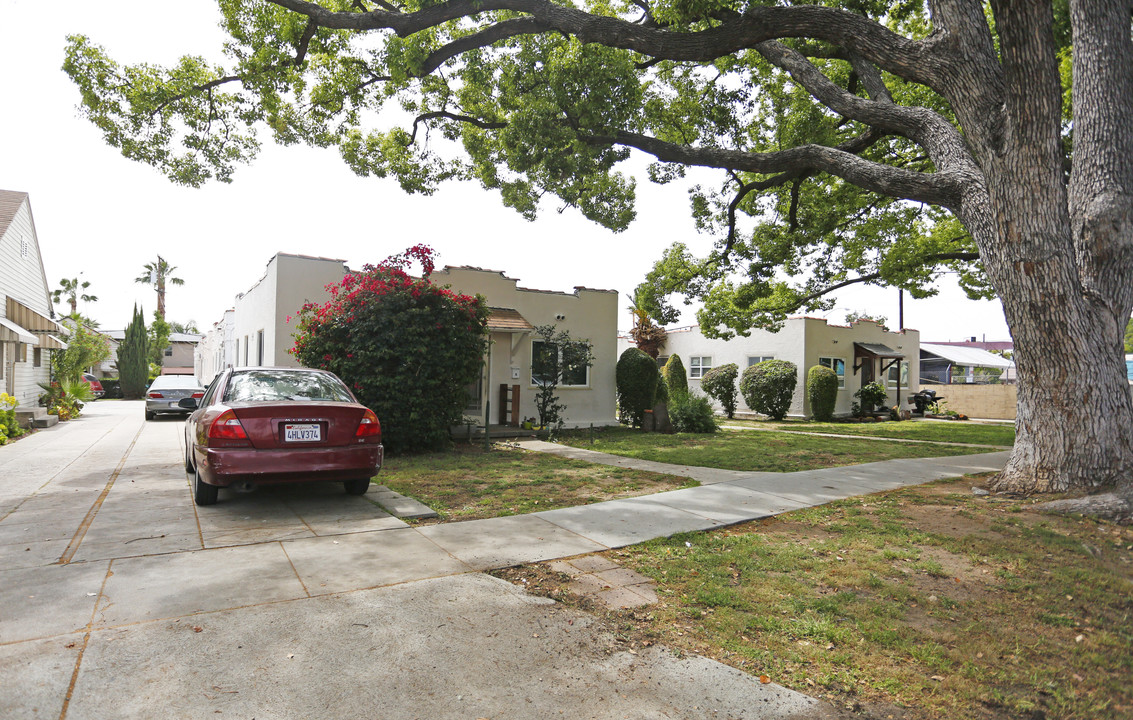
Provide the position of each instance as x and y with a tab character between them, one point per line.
257	331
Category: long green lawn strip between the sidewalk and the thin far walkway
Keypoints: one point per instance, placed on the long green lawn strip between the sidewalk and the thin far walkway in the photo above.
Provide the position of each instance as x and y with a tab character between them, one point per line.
746	451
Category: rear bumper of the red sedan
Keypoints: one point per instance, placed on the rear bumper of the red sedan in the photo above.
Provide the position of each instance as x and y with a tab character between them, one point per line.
226	467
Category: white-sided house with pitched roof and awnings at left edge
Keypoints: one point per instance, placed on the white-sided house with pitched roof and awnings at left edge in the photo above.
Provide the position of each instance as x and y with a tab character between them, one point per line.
28	328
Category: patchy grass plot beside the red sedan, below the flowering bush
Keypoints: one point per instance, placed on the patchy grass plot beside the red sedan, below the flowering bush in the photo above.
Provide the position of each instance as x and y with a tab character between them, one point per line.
468	484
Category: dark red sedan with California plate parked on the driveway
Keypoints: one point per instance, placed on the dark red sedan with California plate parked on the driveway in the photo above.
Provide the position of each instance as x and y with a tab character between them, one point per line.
266	426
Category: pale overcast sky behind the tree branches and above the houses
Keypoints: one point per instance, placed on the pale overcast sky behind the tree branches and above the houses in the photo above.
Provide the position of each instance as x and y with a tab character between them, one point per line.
105	217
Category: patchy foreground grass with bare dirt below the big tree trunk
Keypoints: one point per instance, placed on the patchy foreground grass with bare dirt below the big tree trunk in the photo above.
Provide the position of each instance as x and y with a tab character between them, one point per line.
924	603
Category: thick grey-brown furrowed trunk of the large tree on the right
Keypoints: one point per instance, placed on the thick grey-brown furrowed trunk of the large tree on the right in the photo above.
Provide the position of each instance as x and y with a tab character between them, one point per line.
1059	252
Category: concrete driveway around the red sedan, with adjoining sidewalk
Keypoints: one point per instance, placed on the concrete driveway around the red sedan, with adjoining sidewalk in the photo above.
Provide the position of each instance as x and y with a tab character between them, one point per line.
122	599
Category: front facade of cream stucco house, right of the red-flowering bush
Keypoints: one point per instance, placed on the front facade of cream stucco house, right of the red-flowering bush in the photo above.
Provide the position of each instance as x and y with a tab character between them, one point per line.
586	314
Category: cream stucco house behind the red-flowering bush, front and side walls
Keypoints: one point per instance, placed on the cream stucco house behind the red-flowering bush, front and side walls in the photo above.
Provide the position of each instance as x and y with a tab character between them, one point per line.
257	332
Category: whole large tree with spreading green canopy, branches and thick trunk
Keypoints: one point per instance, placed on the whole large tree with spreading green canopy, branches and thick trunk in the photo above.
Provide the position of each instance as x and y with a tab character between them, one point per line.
855	141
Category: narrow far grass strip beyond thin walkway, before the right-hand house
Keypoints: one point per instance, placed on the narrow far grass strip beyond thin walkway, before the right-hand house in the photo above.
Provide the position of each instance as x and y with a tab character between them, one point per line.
932	431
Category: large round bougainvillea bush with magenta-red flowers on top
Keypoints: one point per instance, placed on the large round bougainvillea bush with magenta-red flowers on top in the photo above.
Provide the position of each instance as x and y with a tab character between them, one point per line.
407	349
